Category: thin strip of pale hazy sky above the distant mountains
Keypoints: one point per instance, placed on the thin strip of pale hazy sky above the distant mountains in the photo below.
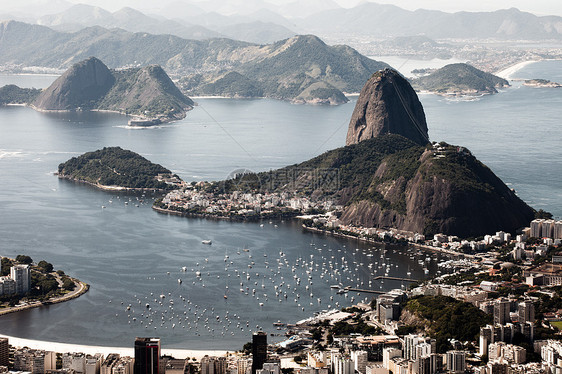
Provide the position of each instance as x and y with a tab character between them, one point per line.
539	7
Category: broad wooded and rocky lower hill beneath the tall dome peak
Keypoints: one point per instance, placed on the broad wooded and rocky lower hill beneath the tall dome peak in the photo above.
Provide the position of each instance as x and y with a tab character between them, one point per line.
391	182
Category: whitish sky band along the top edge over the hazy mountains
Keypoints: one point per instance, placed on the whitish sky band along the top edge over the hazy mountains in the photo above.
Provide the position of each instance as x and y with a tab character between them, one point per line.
538	7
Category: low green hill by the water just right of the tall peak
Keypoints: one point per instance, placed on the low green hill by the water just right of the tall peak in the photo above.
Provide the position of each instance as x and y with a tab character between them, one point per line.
460	79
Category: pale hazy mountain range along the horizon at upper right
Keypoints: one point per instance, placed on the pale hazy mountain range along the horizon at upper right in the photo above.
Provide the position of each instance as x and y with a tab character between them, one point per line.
385	20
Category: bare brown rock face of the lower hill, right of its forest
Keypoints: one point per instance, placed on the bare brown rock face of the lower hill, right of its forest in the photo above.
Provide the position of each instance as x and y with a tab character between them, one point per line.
449	191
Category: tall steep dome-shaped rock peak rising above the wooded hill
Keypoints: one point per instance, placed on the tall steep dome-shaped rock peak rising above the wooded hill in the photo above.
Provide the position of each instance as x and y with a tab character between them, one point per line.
387	105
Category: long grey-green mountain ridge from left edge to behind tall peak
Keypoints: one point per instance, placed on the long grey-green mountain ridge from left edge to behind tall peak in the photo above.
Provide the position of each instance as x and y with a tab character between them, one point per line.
302	68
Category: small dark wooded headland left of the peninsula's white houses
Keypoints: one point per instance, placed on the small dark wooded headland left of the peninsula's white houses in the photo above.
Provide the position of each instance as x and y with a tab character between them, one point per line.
114	168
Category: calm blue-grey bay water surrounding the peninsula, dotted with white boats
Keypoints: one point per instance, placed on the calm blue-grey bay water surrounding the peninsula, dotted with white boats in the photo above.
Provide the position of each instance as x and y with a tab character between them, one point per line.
125	252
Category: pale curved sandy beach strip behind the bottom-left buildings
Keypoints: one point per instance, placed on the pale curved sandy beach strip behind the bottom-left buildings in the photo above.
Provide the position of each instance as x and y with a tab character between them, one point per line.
92	349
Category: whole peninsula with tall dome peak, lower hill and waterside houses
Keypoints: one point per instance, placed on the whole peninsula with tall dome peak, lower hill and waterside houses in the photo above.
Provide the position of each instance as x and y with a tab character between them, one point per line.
389	175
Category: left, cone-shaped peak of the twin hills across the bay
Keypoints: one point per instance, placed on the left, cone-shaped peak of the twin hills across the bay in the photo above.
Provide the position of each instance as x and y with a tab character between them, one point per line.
80	86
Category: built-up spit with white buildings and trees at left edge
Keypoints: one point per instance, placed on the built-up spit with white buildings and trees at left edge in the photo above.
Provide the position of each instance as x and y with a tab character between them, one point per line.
26	285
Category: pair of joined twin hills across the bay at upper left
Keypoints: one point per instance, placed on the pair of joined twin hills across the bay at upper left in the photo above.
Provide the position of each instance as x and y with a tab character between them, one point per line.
90	84
